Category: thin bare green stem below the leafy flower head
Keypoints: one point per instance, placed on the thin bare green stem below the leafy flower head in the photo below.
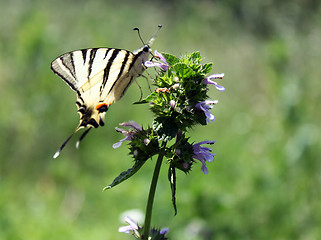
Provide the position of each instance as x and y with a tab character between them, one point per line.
152	189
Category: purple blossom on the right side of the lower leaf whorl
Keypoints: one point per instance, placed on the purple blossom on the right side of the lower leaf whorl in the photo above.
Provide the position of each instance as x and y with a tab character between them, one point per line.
203	154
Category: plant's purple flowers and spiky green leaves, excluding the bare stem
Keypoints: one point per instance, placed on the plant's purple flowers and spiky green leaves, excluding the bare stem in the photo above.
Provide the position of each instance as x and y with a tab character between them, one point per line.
179	102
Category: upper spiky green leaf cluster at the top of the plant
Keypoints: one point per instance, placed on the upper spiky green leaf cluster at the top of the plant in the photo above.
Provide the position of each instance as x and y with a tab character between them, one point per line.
182	84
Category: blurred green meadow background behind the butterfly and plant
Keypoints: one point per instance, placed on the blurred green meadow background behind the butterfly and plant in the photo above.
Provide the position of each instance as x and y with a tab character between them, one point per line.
265	181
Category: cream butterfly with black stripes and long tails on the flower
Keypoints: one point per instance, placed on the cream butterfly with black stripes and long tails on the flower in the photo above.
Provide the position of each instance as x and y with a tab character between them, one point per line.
99	76
